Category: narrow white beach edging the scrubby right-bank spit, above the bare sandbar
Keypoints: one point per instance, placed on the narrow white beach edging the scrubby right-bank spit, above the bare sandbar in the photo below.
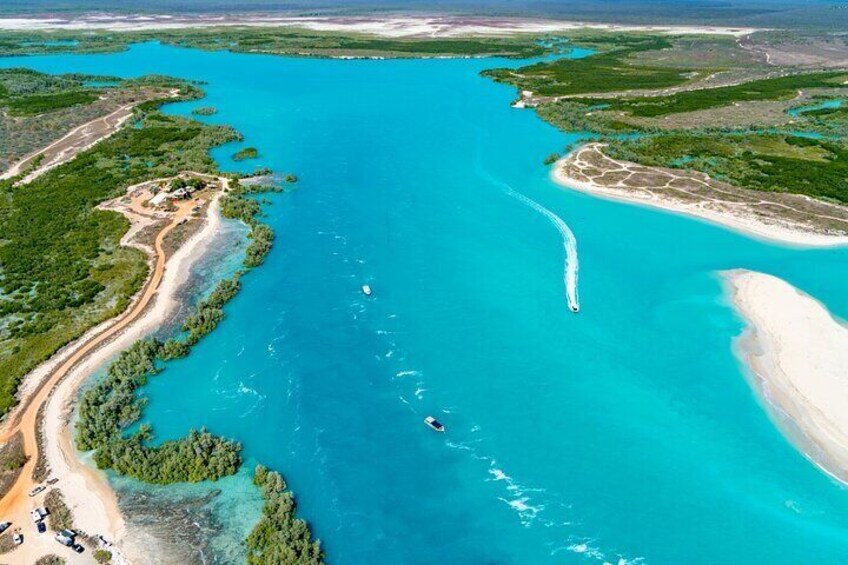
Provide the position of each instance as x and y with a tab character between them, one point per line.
737	220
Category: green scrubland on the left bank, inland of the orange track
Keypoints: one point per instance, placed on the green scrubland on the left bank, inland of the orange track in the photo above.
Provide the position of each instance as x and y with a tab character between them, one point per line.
62	267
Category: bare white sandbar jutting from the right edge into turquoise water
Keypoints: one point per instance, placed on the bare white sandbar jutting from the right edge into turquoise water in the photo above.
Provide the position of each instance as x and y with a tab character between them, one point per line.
797	356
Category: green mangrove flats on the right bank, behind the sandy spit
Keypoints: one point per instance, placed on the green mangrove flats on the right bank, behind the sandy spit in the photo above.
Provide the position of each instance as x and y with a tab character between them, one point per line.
700	104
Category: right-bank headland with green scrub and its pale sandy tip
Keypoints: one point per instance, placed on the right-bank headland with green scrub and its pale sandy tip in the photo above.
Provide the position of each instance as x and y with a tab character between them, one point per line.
705	126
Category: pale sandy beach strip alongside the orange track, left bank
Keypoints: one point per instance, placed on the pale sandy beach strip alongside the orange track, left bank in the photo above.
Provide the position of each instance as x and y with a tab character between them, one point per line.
87	493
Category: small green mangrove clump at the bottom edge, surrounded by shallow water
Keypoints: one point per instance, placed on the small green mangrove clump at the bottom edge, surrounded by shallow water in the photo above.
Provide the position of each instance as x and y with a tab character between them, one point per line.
279	538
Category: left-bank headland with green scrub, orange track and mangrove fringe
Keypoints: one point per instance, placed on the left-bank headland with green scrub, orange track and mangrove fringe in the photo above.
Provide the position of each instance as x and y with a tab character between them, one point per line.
86	246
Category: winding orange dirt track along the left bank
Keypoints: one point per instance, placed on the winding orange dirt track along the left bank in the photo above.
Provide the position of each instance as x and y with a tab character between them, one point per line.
16	504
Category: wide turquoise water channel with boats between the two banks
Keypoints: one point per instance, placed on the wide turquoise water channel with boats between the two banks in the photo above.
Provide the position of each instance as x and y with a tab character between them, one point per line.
624	434
